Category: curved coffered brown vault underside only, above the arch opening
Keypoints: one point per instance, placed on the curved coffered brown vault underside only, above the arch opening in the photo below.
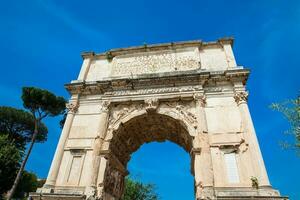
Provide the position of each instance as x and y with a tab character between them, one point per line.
148	128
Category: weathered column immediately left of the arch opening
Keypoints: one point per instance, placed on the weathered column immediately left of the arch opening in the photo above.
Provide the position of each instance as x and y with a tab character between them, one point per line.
101	133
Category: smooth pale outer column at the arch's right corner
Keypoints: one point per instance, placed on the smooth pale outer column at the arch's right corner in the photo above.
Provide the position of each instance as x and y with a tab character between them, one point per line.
251	139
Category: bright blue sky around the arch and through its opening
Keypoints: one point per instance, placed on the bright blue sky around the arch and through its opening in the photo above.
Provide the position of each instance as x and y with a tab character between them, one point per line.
41	42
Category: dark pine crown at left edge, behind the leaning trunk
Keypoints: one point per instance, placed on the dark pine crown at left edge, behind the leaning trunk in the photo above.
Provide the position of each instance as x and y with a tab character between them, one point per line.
19	126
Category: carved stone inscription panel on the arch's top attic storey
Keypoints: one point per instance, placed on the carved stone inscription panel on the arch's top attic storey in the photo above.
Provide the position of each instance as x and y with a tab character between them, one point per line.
149	62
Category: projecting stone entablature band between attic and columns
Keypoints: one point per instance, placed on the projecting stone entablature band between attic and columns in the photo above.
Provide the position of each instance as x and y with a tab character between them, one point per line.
163	83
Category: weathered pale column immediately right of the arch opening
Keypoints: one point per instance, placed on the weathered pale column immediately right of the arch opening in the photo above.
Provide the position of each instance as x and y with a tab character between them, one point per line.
203	168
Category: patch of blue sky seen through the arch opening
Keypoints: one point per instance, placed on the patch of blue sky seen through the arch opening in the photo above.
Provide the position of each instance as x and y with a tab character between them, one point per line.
165	165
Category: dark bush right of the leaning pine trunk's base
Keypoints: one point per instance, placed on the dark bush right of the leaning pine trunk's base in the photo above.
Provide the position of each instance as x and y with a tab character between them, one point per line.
28	183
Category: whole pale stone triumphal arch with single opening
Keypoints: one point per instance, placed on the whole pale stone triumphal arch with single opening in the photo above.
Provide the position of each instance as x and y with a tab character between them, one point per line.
191	93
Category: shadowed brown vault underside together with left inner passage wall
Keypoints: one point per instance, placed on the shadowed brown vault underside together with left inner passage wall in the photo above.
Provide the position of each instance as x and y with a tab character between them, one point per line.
131	135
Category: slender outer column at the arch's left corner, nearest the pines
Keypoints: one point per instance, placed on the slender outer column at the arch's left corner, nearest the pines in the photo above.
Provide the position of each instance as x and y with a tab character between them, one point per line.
55	165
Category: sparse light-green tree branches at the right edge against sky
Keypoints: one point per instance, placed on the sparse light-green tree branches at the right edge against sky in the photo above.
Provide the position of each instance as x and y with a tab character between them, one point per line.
291	111
